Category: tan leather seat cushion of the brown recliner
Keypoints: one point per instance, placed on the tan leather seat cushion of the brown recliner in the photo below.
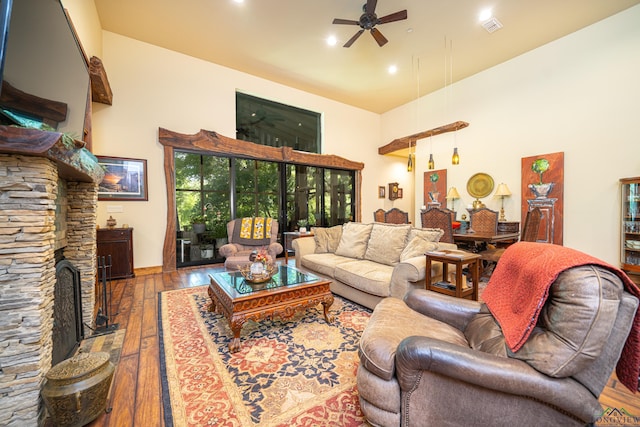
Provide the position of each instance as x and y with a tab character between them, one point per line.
391	322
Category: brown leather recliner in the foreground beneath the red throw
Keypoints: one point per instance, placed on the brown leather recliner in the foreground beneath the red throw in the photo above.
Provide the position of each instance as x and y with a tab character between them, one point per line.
435	360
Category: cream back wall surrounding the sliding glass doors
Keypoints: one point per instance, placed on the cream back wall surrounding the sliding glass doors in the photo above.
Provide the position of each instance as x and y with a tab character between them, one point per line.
155	87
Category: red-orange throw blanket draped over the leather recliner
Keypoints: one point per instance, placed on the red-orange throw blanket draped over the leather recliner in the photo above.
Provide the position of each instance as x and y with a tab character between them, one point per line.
519	287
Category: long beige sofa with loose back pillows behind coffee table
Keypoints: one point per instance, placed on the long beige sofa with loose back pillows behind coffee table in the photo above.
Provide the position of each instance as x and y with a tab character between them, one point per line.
369	262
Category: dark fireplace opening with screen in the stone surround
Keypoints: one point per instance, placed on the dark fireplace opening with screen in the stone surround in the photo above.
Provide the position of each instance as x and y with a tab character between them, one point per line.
67	312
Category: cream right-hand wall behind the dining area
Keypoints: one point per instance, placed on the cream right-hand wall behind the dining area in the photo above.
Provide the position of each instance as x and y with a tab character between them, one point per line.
578	95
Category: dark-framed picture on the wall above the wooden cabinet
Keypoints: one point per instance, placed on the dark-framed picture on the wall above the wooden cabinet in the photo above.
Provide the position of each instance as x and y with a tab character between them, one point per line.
124	179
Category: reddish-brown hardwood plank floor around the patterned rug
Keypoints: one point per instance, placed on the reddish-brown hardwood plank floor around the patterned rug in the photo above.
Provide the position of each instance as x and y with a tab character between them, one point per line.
136	394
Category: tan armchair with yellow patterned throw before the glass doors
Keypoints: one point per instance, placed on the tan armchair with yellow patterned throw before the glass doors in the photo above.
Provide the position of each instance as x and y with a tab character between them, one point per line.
247	235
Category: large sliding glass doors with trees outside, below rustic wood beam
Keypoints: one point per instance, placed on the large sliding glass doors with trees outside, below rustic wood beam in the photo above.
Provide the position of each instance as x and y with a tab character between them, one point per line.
213	189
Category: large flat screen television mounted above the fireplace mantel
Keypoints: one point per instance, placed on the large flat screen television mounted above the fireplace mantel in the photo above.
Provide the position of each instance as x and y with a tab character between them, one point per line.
40	55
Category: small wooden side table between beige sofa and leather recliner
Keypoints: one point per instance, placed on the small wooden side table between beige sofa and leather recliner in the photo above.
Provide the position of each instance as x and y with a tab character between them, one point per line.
459	259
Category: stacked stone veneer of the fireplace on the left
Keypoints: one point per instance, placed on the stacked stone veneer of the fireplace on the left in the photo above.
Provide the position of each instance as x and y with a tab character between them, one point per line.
28	189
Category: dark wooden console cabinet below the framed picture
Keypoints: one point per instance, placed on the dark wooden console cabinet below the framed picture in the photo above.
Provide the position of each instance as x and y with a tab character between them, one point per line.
117	242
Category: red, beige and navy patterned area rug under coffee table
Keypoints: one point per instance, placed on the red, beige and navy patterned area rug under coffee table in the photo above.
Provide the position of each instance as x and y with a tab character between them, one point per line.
300	372
